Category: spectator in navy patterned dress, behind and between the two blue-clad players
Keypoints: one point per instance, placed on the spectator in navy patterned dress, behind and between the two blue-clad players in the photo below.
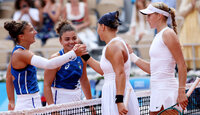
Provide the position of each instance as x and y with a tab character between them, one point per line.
49	12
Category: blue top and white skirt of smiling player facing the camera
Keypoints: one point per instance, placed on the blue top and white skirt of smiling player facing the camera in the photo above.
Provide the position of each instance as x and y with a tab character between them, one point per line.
66	86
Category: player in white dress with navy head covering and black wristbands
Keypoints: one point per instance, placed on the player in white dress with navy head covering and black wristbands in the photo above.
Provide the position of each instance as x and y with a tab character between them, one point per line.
115	67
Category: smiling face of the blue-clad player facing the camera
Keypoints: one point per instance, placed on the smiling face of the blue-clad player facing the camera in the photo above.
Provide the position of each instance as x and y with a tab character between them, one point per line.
68	40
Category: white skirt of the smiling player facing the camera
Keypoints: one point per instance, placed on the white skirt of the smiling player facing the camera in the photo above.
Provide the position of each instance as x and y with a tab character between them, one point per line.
61	95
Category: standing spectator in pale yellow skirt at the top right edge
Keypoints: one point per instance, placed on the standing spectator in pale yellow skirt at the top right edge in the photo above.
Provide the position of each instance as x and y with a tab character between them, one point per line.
189	34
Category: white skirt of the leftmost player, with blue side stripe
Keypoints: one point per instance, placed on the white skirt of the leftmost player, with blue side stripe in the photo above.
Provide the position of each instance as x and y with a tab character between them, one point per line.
28	101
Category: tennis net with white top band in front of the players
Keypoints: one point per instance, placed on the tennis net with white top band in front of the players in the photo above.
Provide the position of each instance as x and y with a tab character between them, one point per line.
93	106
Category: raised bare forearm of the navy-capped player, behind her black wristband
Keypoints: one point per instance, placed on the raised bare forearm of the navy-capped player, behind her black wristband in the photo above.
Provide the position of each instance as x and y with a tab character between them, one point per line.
95	65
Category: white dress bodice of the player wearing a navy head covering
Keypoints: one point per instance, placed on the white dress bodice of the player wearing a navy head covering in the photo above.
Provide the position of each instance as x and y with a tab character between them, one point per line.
106	66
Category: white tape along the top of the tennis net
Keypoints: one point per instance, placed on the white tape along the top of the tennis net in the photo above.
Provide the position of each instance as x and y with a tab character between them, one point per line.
83	103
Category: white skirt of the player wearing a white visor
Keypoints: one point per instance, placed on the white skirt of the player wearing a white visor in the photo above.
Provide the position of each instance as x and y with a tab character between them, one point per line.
163	93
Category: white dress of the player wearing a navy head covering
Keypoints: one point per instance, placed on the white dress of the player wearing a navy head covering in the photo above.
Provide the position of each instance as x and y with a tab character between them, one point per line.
109	106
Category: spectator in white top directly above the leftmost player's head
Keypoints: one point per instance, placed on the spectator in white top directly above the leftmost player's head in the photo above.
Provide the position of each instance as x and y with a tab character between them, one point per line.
25	12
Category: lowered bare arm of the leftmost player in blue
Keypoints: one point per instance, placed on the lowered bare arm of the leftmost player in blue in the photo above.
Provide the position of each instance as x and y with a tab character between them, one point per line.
10	88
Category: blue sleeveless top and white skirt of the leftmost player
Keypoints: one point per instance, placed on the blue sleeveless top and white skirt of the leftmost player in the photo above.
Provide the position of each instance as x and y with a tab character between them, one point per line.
26	86
